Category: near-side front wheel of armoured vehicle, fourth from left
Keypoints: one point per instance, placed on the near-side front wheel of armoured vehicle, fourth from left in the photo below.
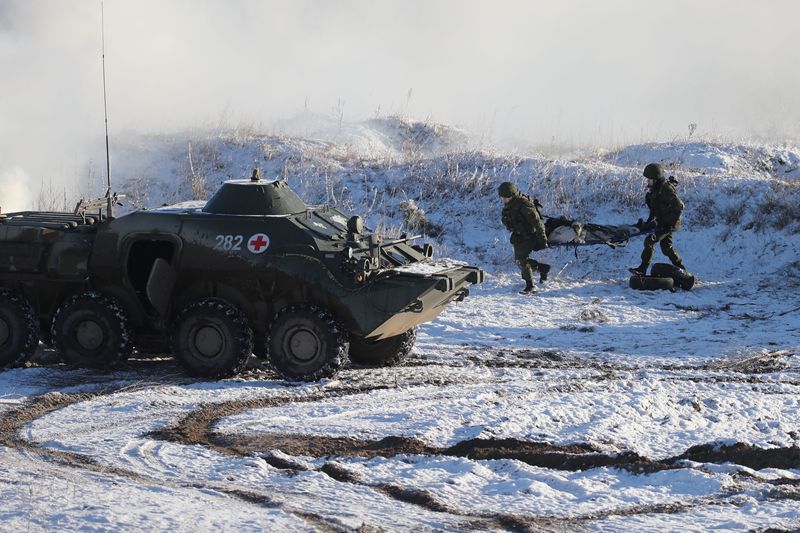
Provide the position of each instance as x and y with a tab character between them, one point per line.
306	342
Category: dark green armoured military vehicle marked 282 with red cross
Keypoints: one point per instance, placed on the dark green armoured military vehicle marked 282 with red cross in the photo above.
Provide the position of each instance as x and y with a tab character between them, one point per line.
253	270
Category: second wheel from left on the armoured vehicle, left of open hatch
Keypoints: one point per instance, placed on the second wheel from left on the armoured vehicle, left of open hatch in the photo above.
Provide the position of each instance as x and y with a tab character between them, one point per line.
91	330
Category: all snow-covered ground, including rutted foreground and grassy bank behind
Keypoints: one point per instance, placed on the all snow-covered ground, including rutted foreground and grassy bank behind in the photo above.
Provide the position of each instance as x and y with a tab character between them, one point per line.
588	406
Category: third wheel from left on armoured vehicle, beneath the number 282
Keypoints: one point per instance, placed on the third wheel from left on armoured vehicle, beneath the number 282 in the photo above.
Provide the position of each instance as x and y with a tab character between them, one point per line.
211	338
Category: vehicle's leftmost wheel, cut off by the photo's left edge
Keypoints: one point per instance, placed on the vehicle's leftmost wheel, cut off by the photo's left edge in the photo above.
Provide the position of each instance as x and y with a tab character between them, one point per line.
19	329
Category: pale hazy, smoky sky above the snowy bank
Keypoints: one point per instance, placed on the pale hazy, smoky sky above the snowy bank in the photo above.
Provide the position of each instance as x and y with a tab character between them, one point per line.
570	71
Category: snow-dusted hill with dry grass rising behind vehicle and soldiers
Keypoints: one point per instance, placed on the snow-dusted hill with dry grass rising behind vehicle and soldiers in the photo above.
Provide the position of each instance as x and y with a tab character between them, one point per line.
741	200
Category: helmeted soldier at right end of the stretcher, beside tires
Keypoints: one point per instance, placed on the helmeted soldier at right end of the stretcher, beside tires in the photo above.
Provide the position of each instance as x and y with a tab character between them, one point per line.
665	215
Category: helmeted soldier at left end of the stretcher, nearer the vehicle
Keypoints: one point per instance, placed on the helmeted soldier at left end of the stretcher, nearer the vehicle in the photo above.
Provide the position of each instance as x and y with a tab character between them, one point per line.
524	221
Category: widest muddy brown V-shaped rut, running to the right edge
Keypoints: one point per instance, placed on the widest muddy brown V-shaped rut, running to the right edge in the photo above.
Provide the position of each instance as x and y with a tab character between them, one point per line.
197	428
